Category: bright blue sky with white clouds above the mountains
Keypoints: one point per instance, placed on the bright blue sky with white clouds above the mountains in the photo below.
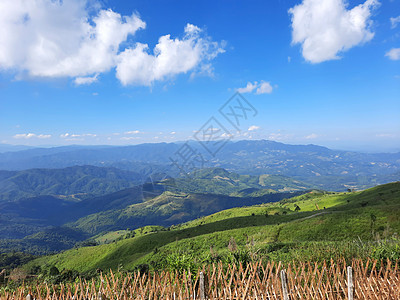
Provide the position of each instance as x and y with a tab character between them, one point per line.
325	72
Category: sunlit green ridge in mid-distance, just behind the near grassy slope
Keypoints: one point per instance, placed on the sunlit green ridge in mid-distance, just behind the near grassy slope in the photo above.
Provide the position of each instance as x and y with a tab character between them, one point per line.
168	209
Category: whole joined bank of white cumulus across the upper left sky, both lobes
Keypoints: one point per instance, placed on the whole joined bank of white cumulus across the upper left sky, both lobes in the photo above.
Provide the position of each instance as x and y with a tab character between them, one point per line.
51	39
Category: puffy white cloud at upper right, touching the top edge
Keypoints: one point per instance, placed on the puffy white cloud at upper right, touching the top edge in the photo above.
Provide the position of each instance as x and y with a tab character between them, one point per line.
325	28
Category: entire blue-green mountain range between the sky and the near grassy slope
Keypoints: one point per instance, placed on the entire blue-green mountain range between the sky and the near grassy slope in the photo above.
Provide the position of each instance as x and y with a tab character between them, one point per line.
53	198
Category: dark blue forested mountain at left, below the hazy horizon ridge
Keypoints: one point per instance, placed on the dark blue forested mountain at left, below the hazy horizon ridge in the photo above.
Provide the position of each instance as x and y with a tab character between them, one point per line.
77	182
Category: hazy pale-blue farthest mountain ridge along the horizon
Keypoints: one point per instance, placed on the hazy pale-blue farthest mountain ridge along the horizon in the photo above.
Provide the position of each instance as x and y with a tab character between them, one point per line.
326	168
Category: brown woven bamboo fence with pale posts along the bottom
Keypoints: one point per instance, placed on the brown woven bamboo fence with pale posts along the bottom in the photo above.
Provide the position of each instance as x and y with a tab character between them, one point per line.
357	279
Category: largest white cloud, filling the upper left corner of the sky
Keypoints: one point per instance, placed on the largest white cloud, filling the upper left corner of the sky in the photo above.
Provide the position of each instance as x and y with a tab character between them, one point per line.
59	39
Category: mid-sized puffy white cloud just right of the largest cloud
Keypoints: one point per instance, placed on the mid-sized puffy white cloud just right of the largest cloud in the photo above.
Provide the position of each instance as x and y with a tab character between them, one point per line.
170	57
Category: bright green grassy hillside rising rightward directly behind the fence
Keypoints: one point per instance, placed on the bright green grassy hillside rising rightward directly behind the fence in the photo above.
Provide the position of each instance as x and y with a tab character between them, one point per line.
312	226
